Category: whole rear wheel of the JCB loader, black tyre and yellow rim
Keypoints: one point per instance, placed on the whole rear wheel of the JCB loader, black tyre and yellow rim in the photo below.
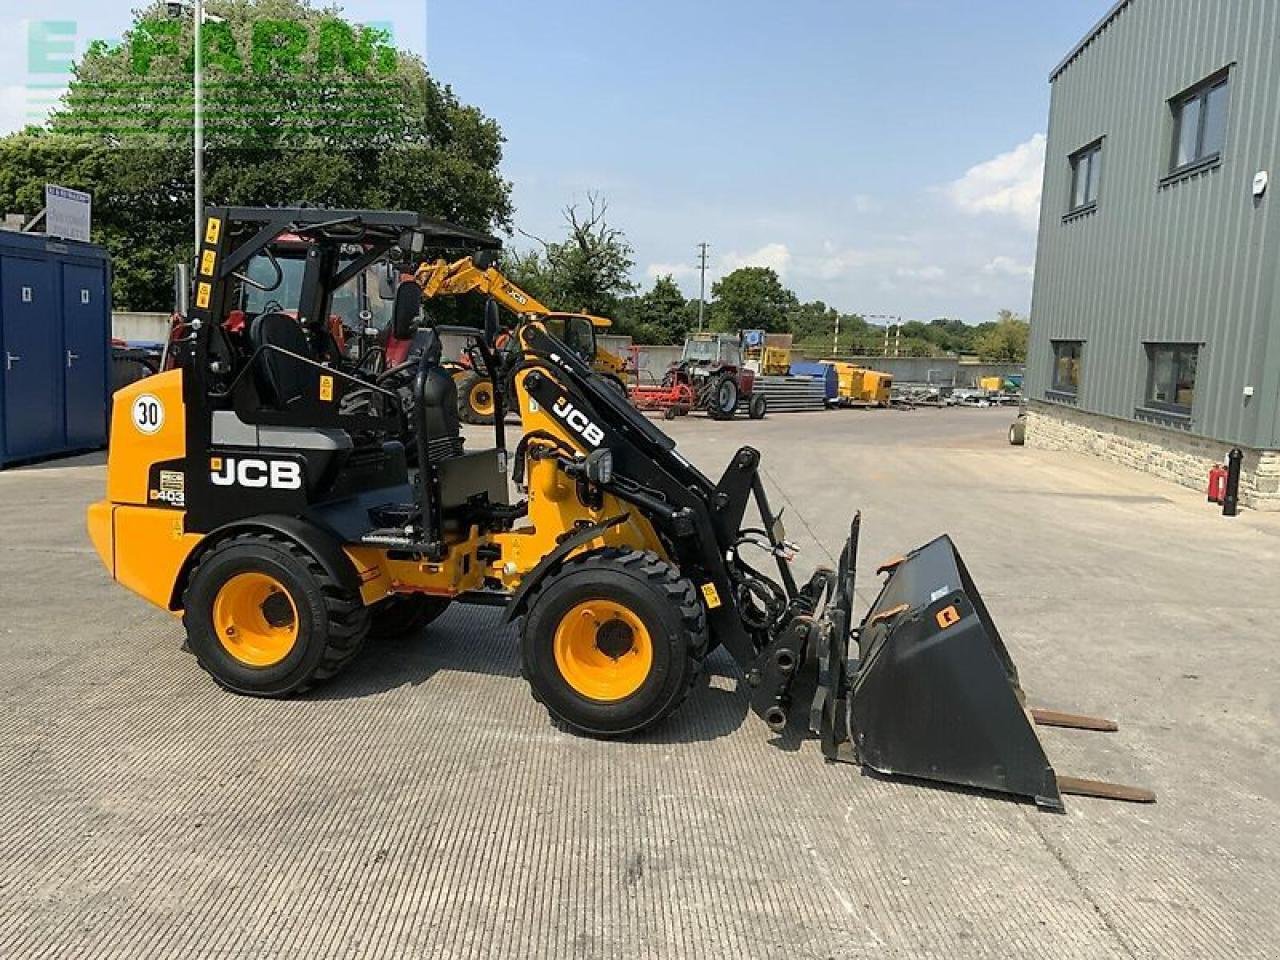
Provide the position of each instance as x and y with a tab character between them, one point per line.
266	619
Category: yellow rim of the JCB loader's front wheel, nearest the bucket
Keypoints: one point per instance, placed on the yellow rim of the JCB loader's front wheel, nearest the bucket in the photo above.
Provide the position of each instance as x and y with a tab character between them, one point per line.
604	651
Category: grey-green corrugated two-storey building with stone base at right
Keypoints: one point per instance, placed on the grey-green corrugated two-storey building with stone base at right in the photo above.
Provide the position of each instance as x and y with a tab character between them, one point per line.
1156	318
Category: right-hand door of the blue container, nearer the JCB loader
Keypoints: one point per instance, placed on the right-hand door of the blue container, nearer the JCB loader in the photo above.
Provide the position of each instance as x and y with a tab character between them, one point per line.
85	345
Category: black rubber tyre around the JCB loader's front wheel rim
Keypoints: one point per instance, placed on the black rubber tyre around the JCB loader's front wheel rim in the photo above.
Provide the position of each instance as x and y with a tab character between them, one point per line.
655	593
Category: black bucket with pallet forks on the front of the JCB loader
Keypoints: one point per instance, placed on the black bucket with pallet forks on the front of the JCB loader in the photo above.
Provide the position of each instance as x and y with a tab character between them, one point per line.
934	693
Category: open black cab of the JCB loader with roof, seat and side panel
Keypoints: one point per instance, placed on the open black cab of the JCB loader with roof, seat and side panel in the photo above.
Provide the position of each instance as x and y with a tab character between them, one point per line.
278	418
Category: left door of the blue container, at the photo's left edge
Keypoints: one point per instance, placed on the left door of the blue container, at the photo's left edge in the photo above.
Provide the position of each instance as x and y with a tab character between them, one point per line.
33	368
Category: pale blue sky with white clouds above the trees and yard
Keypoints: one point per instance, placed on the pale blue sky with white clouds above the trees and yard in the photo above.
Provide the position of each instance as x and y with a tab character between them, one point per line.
884	157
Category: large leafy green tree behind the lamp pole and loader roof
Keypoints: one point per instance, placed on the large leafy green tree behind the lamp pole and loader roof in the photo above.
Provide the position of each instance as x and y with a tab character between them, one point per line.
303	108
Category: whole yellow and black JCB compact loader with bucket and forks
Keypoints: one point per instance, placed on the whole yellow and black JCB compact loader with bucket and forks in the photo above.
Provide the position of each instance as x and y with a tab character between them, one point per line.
285	528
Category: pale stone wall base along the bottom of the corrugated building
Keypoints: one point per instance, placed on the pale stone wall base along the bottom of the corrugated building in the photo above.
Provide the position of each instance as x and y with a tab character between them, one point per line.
1154	450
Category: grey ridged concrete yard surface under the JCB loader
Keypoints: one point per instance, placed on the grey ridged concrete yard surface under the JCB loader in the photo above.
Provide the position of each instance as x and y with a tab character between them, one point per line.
423	806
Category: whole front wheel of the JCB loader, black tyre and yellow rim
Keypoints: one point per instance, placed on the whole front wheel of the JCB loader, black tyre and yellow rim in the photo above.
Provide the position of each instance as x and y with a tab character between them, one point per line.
614	642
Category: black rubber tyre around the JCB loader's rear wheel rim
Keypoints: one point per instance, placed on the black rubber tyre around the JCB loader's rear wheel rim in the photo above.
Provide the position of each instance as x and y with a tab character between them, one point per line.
332	623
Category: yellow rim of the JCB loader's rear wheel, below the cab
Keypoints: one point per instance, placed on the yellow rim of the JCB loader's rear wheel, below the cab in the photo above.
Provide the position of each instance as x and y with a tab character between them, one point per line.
257	620
